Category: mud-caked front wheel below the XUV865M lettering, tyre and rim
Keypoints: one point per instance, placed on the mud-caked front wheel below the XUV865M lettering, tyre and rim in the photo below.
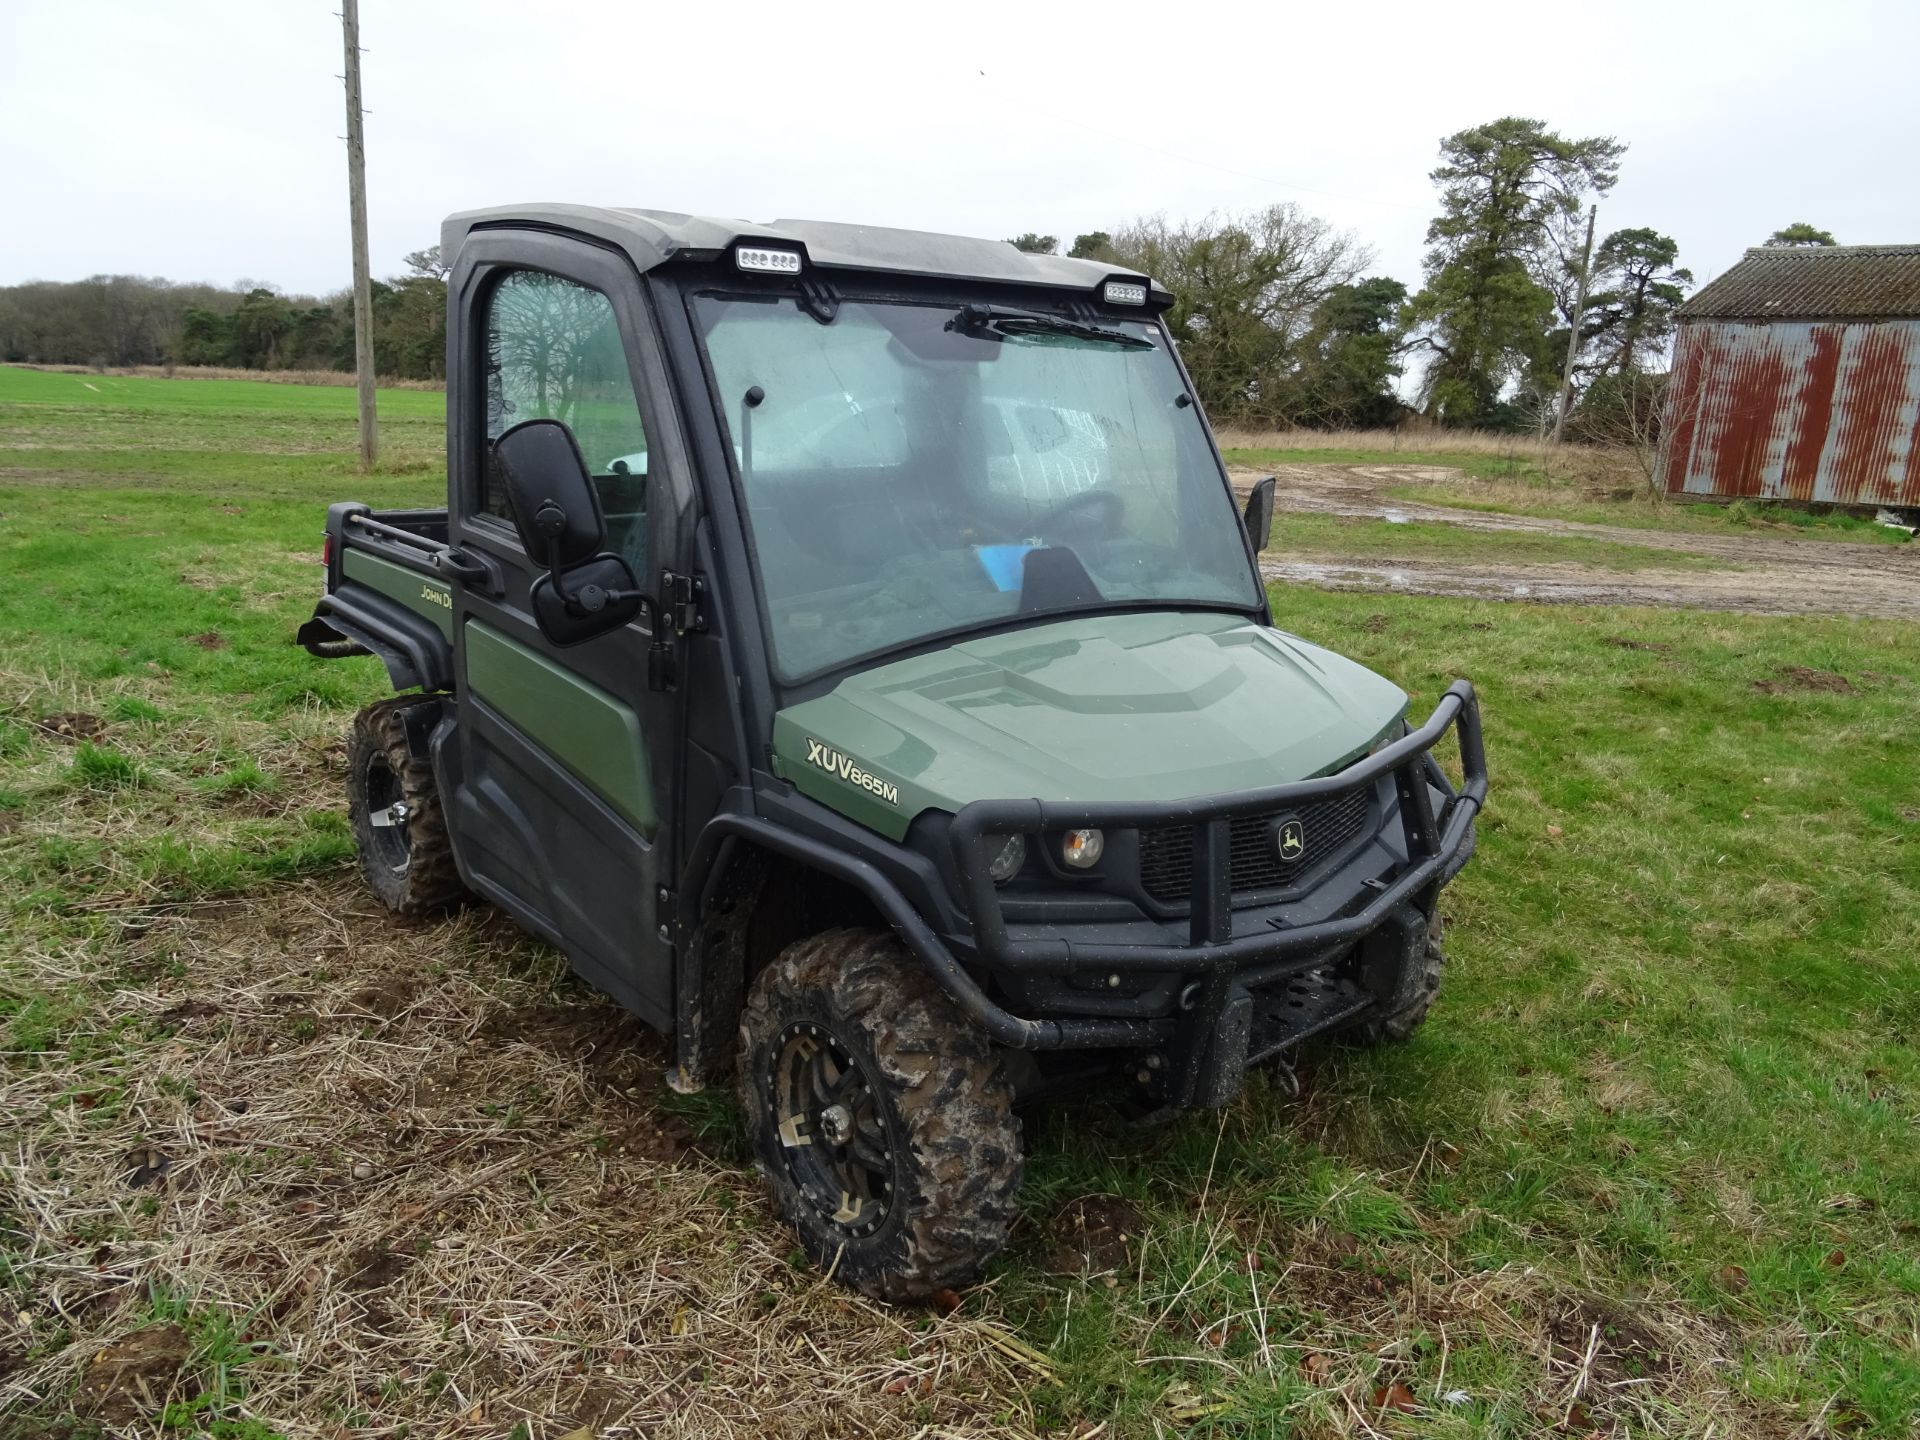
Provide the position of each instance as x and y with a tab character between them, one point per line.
878	1115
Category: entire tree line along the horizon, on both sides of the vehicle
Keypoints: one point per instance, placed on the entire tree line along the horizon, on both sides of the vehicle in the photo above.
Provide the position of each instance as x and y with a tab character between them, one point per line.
1278	314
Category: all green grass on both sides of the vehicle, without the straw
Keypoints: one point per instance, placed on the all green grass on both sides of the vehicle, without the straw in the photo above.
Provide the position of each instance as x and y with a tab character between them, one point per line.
1669	1088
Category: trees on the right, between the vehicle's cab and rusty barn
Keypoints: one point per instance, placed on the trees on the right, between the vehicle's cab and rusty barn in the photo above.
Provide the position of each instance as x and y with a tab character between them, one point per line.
1284	327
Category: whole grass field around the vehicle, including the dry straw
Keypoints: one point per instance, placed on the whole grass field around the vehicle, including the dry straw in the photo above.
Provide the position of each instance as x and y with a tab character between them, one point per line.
272	1164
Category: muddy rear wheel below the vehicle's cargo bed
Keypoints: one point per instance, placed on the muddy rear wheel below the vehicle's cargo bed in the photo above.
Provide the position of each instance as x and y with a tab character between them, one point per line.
396	817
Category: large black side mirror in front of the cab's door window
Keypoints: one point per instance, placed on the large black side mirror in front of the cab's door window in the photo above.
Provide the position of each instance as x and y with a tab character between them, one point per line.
560	519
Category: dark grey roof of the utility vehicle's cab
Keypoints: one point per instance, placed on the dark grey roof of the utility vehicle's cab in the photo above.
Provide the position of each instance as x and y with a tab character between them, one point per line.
656	237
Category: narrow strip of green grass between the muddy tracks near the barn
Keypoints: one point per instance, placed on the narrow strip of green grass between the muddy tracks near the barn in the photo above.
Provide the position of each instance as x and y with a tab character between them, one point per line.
1303	535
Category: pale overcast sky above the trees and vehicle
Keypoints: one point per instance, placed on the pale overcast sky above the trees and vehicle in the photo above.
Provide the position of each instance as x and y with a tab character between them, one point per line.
201	139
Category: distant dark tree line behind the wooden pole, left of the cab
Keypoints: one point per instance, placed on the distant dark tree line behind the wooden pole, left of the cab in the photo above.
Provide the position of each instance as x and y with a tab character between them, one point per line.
130	320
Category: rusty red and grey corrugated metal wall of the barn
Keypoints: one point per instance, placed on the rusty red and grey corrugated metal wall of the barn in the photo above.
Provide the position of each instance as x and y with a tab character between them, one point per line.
1796	410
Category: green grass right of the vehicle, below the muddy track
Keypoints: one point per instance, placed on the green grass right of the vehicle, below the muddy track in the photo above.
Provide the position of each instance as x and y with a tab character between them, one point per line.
1675	1036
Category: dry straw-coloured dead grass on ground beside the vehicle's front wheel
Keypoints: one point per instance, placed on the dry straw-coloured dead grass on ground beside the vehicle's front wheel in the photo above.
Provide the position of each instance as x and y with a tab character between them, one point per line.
410	1176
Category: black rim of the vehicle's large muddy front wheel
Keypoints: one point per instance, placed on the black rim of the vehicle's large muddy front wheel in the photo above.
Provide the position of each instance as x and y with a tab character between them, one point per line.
830	1130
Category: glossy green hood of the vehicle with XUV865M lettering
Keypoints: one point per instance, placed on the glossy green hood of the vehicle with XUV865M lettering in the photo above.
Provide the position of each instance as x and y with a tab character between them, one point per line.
1115	708
